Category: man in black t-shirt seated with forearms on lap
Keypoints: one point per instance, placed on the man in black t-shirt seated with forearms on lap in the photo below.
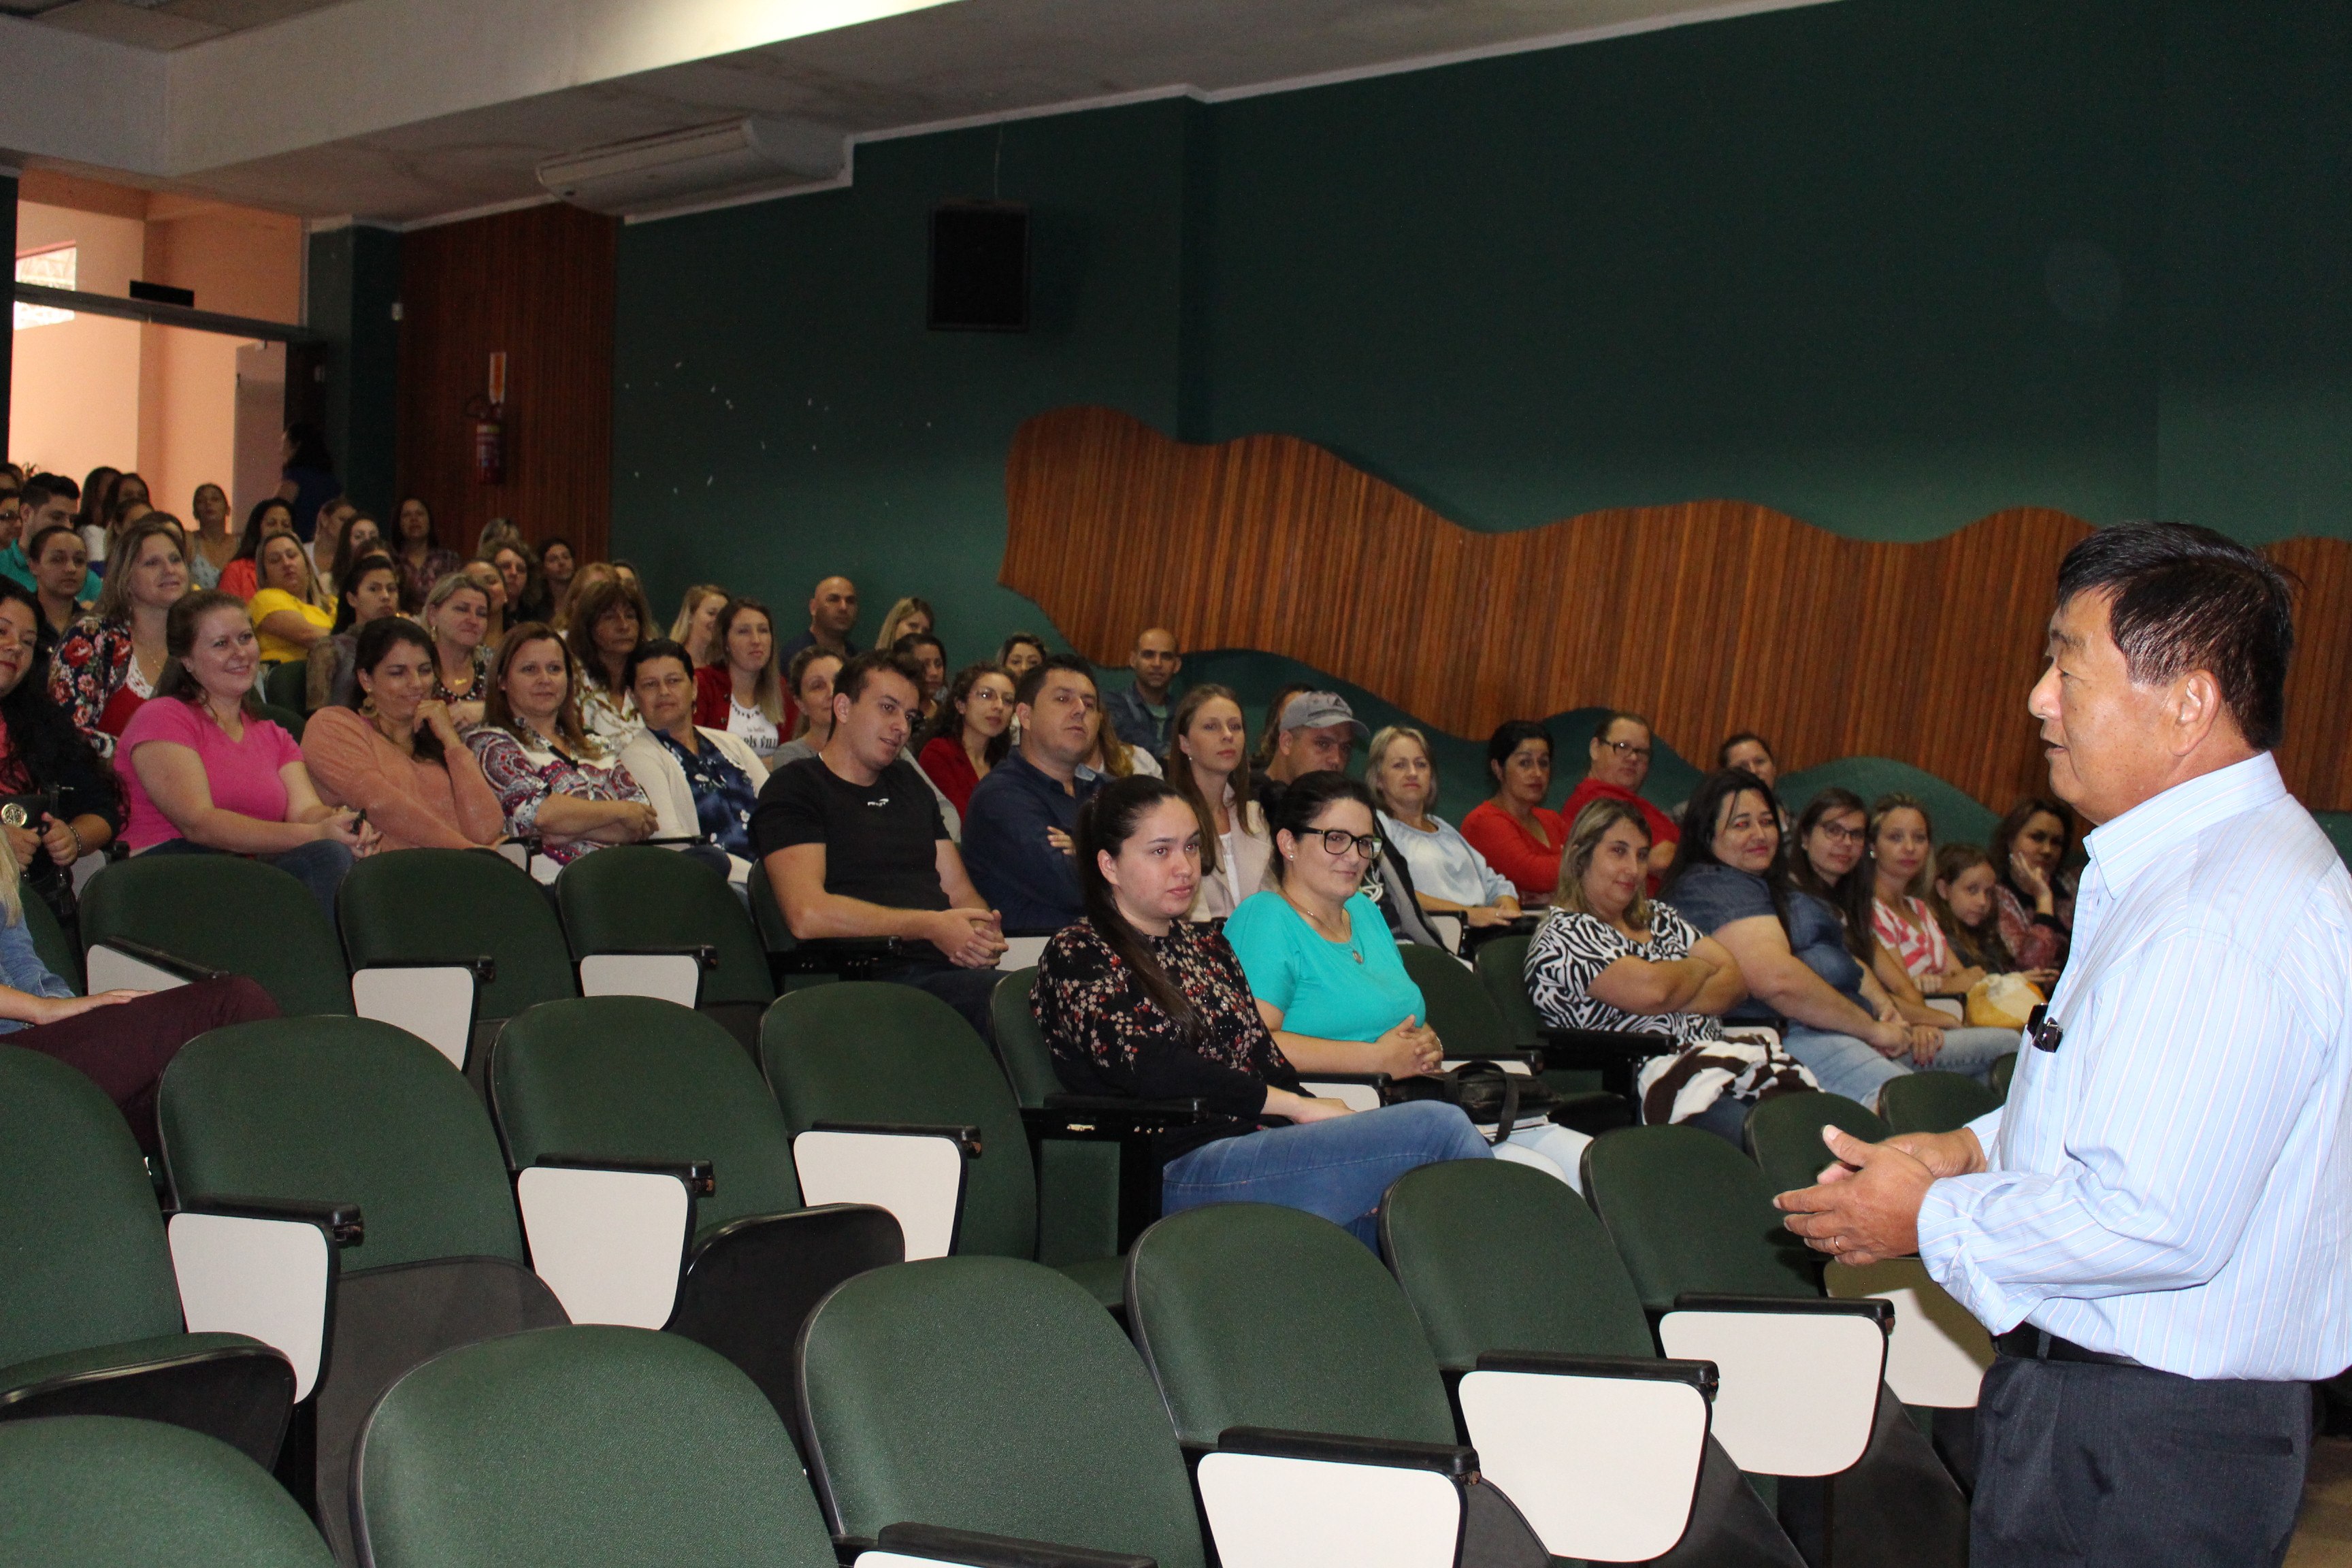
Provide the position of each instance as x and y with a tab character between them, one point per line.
855	845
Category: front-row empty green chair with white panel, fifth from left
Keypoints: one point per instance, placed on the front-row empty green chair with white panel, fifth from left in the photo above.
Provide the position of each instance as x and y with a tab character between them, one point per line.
1506	1268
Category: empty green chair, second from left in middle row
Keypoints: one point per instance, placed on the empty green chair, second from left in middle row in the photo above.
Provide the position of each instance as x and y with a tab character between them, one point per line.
352	1111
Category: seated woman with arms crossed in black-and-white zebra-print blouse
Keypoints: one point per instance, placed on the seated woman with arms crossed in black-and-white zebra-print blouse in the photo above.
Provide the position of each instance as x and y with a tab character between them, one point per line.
1610	958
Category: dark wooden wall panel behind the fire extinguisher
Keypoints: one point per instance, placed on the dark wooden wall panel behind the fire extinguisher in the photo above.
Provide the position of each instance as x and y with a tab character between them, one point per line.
537	286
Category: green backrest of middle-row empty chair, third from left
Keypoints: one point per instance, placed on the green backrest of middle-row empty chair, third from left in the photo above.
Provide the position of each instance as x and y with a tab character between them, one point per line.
643	1080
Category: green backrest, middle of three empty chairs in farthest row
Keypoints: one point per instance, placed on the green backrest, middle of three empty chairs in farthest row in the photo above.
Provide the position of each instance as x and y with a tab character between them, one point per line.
460	904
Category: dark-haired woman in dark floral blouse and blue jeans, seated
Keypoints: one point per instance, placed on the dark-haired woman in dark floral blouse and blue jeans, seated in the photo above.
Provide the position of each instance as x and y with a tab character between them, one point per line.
1142	1003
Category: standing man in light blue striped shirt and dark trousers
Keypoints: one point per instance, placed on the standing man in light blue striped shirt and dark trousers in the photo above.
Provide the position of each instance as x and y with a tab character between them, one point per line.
2158	1224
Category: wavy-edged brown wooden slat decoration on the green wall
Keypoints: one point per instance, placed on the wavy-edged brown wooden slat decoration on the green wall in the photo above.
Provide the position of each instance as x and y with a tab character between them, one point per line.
1711	617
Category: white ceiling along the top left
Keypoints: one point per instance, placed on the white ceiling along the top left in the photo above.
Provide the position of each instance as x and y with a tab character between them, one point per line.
420	109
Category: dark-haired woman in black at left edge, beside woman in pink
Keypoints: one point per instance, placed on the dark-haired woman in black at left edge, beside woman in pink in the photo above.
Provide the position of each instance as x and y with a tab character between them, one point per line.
60	782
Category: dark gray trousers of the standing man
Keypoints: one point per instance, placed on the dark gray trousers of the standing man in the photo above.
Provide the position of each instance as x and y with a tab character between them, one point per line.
2120	1468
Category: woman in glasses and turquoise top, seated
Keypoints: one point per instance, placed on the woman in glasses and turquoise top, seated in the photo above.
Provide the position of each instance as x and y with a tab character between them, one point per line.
1325	970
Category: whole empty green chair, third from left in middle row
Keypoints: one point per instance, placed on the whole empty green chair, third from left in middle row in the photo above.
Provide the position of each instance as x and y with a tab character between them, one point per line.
657	1181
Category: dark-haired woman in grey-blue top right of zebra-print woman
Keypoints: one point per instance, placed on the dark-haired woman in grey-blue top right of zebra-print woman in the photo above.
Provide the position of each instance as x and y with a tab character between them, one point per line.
1732	883
